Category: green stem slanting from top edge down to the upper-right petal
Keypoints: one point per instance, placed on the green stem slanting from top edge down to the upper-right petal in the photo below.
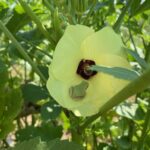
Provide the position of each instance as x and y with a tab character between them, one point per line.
121	17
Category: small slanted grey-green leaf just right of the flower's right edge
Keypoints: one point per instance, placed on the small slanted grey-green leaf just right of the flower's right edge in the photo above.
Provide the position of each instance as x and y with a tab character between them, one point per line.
136	56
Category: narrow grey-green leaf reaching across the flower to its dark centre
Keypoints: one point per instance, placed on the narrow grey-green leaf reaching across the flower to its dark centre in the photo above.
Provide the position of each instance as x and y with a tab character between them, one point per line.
117	72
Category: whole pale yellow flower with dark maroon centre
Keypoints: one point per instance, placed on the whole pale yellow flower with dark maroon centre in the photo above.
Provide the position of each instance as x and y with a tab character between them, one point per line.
79	48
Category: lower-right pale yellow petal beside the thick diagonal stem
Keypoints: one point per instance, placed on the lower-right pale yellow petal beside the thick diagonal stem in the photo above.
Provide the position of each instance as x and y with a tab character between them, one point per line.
105	87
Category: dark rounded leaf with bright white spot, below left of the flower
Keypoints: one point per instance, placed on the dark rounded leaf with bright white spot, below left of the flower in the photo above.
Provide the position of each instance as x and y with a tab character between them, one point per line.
50	111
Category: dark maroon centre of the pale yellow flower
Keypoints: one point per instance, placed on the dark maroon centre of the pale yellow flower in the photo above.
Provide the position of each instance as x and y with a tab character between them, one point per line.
83	69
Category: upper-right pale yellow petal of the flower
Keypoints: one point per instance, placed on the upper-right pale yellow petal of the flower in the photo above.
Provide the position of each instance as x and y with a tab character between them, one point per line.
103	41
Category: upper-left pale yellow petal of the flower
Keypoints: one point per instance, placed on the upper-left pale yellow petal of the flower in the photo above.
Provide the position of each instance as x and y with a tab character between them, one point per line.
67	54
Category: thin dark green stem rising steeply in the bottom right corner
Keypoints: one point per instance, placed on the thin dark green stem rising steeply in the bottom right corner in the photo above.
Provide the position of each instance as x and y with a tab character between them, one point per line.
145	129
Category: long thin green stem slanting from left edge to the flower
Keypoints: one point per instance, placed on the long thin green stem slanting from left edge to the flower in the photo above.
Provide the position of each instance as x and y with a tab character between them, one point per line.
21	50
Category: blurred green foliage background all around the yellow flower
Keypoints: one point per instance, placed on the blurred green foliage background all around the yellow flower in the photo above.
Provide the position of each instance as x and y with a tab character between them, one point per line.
29	116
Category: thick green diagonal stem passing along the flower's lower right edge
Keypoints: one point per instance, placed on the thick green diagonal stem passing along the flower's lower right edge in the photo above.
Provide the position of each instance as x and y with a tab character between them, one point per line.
134	87
